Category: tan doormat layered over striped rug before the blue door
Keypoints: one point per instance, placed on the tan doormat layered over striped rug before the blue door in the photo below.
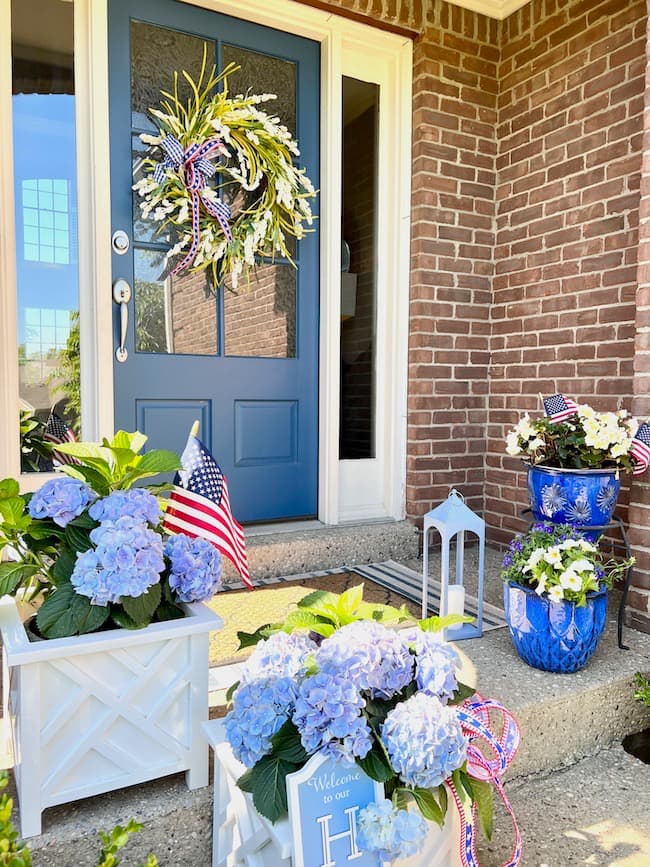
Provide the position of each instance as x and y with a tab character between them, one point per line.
387	583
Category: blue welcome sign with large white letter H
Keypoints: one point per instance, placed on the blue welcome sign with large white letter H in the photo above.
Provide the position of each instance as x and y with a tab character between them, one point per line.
325	798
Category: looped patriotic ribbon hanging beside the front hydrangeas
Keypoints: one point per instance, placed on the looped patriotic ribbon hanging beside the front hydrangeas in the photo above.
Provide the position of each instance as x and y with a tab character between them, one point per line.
486	762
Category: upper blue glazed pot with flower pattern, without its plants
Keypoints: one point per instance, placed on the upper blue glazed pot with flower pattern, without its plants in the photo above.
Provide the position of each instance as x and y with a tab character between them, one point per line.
583	497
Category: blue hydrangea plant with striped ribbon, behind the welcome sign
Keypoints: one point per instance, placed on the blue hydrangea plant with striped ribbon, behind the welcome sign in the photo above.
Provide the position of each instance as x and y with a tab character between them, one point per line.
337	679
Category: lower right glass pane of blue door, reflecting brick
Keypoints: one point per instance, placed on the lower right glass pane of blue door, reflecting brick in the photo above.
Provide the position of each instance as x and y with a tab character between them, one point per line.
261	321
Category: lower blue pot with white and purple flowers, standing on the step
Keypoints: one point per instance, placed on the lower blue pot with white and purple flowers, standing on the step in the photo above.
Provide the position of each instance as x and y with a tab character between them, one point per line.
555	593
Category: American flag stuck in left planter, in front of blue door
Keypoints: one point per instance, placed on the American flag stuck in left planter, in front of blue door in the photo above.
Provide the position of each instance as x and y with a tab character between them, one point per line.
199	506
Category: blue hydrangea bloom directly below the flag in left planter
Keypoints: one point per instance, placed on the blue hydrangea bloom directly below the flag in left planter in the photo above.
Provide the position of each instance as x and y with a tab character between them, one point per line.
195	568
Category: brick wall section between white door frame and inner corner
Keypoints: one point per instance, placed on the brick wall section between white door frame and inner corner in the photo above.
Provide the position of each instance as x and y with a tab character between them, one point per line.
454	177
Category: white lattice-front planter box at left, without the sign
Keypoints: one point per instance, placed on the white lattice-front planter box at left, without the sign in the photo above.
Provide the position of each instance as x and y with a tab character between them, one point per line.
97	712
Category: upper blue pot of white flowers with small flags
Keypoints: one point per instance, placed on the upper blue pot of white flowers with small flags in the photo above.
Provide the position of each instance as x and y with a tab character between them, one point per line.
575	458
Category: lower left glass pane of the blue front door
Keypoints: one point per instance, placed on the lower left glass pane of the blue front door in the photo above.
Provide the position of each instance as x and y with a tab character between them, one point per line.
172	314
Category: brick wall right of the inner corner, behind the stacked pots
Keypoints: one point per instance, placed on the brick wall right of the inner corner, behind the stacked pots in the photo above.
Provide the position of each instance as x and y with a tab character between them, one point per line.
571	81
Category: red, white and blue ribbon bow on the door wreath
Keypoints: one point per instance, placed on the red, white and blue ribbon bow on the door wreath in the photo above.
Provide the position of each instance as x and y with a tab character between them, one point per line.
197	170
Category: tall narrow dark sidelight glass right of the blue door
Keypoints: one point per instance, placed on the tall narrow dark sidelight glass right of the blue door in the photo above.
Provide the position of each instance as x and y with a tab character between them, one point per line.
358	270
